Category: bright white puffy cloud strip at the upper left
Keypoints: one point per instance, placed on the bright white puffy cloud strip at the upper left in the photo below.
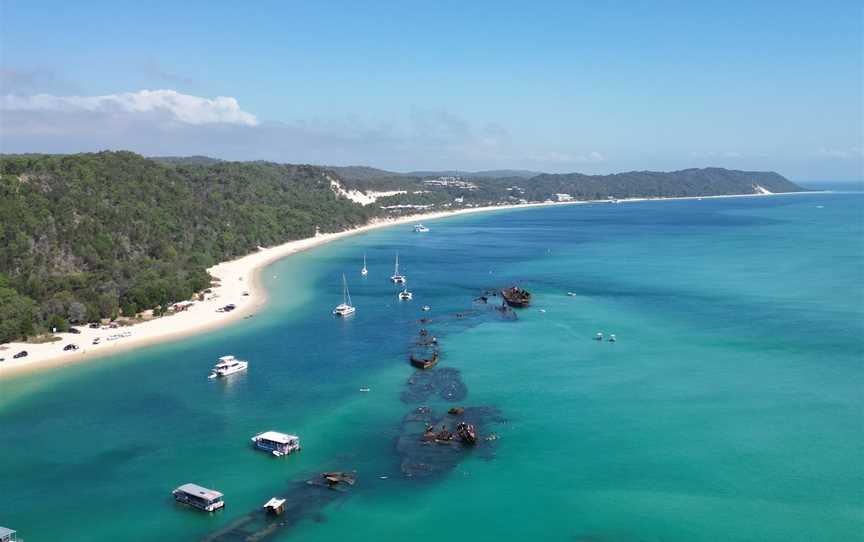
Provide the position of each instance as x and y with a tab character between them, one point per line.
179	107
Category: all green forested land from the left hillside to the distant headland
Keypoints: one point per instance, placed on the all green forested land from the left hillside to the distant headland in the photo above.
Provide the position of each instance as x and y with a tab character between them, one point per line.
92	236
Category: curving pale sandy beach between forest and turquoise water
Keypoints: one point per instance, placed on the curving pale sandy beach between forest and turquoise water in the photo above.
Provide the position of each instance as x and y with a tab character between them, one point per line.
236	278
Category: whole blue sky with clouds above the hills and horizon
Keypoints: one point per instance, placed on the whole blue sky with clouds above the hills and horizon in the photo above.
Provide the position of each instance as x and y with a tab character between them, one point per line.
594	87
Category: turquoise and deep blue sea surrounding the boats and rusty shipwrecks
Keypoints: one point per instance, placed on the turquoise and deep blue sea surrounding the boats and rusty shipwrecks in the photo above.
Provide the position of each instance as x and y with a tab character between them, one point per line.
729	409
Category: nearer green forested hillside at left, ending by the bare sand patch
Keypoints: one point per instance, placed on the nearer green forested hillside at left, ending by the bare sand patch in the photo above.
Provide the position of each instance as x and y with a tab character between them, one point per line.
87	236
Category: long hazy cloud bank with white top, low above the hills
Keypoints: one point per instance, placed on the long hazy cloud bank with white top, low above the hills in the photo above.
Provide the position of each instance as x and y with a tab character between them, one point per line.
166	122
